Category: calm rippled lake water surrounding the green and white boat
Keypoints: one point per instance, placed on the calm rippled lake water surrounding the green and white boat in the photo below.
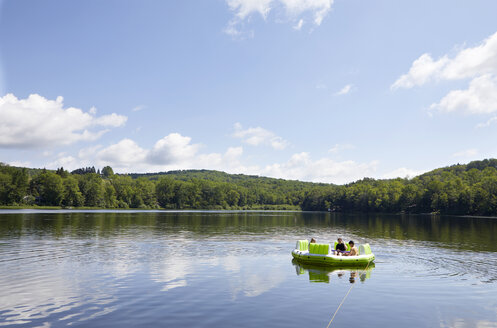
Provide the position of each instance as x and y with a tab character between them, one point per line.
234	269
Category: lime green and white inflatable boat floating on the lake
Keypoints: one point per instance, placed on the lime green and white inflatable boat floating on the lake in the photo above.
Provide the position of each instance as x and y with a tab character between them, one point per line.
320	254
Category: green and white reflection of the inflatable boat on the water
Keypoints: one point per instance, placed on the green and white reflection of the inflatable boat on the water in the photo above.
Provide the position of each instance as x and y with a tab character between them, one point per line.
323	274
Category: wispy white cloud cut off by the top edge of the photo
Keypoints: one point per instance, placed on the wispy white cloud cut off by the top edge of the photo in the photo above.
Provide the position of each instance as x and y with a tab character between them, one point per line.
292	9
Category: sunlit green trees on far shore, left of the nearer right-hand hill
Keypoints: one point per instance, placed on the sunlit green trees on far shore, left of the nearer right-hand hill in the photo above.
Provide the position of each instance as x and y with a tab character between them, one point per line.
87	187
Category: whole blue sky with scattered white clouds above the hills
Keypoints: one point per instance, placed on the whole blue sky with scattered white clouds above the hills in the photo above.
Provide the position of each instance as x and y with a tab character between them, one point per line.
315	90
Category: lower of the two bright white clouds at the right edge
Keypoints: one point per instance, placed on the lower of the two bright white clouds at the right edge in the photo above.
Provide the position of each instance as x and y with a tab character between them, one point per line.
479	98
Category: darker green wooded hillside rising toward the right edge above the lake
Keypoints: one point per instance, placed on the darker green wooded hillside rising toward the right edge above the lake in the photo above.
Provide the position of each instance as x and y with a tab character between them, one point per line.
469	189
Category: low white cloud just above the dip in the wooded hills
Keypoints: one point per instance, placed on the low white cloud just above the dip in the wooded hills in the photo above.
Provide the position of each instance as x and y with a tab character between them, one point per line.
302	167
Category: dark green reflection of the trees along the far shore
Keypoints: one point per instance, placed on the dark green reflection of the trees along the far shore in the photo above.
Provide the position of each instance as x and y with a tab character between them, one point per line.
455	232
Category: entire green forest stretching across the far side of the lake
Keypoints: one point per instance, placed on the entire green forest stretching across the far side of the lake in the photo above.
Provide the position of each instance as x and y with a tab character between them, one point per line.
463	189
